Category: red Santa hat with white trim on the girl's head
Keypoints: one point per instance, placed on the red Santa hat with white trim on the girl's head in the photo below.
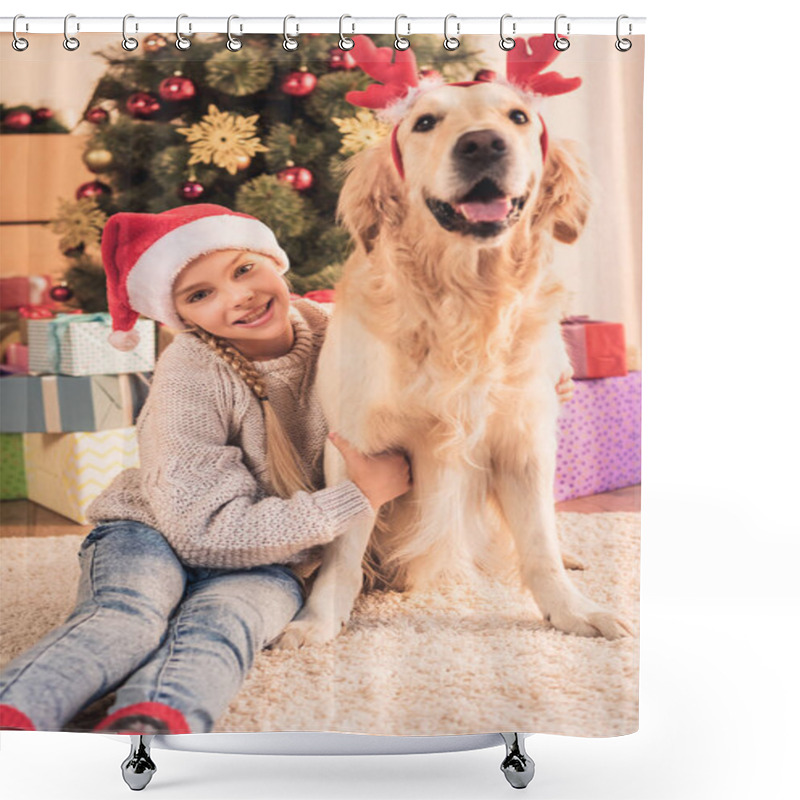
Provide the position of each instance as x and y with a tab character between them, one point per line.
144	253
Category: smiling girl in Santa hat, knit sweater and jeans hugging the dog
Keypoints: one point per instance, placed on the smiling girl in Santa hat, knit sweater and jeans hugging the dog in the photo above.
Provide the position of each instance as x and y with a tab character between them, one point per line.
198	556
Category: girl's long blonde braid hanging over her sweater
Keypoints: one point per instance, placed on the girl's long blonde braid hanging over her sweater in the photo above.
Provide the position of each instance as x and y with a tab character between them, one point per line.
286	471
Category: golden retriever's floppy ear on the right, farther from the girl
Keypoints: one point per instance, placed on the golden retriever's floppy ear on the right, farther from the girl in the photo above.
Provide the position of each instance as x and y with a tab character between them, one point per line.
563	202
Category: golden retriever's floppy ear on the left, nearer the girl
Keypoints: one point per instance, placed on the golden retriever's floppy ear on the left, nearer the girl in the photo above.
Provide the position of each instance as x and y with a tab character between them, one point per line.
371	198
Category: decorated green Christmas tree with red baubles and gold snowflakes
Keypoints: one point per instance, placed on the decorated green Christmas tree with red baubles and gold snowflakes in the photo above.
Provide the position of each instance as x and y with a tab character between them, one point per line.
260	130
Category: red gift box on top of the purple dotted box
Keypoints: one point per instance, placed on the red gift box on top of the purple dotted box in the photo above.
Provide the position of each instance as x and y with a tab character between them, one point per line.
596	349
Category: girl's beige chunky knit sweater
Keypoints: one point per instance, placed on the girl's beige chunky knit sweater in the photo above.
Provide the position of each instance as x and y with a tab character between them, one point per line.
203	480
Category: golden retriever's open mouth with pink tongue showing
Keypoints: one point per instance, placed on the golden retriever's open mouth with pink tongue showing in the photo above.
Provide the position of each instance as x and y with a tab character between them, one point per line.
484	211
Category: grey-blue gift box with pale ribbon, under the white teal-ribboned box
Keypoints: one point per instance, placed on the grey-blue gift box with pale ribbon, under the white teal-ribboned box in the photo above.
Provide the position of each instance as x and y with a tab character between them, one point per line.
66	404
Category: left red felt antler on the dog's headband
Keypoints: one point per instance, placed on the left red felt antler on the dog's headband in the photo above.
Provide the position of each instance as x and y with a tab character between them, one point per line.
395	69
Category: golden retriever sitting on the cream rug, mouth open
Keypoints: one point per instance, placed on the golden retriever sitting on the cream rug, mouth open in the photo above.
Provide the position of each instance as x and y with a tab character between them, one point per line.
445	343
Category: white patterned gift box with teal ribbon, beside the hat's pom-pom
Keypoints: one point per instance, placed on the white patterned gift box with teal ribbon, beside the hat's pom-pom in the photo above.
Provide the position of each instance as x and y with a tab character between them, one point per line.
77	344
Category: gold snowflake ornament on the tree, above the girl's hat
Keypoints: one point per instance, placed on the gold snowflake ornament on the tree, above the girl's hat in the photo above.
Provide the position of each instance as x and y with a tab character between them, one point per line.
222	138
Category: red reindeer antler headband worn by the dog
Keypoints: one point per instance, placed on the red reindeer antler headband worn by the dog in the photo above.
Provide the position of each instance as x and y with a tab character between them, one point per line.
397	72
